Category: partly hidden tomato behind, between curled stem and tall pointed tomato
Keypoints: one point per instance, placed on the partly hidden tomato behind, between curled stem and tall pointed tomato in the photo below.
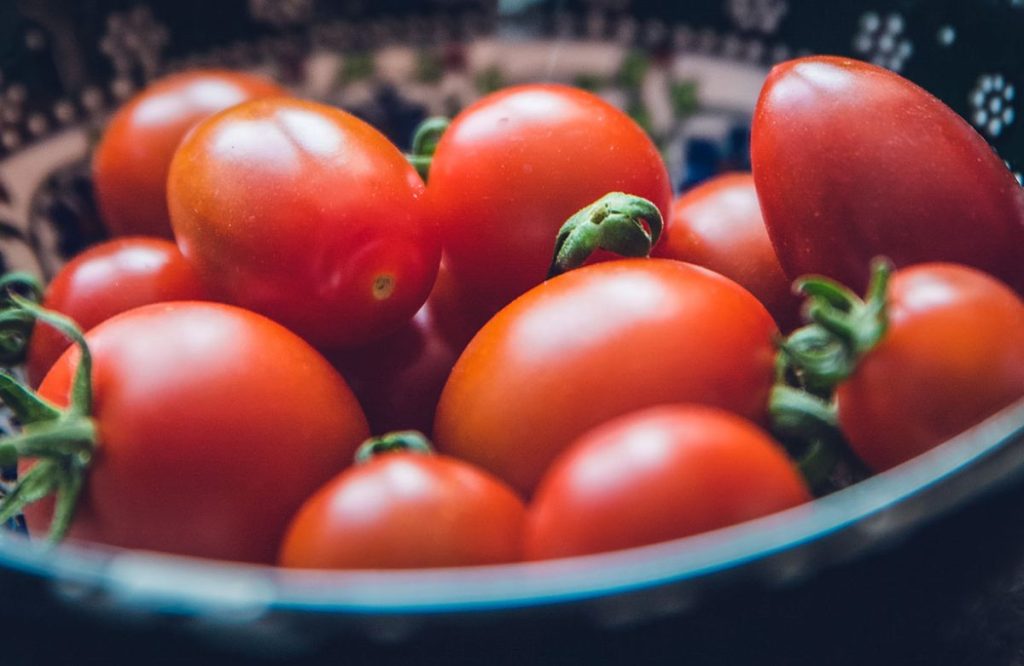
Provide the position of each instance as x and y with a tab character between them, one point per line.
718	226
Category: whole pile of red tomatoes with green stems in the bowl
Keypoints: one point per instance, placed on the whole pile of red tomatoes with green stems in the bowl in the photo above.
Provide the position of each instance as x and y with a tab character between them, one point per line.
596	366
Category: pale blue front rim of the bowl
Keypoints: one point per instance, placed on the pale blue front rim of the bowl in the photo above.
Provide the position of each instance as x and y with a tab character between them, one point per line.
169	585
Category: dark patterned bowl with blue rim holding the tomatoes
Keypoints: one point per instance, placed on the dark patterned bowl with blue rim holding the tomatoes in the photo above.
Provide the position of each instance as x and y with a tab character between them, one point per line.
691	73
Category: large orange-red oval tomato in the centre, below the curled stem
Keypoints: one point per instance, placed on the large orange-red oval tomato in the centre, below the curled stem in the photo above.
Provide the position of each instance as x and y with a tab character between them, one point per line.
595	344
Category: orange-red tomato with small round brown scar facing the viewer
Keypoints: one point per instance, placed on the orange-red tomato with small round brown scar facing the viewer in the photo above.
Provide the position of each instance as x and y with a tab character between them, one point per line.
307	215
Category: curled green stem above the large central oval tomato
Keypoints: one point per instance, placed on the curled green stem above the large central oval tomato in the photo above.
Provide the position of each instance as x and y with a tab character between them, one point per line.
619	223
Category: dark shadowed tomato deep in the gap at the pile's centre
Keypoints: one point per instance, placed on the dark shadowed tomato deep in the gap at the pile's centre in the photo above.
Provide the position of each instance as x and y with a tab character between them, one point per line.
400	378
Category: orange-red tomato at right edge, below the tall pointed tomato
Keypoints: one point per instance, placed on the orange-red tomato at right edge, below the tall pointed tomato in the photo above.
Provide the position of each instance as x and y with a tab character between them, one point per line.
953	355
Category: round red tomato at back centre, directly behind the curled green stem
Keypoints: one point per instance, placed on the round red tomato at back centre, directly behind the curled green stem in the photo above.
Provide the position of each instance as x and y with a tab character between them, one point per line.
516	165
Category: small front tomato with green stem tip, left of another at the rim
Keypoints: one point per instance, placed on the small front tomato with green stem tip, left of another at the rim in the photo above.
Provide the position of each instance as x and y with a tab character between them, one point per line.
406	511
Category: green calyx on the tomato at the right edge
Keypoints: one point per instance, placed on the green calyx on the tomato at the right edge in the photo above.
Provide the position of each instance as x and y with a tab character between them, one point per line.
815	360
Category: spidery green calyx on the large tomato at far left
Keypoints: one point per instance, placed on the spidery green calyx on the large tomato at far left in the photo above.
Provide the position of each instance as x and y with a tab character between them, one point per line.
63	442
